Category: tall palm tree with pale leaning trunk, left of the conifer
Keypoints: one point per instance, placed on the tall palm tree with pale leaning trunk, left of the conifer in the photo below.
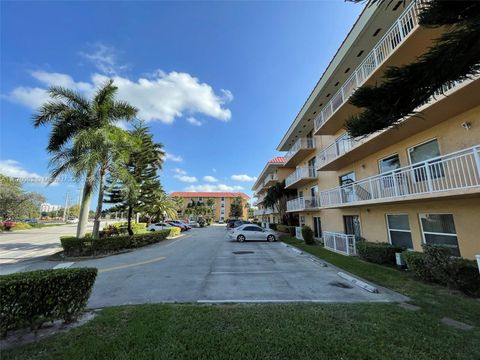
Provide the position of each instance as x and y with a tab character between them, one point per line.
70	114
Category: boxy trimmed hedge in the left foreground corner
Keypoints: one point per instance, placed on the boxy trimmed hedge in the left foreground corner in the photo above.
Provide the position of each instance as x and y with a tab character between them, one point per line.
32	298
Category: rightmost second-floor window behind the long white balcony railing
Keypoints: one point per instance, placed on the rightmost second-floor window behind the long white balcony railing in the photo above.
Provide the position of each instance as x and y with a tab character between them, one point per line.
420	154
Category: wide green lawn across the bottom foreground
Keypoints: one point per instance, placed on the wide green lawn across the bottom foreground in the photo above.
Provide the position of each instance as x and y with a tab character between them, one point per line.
356	331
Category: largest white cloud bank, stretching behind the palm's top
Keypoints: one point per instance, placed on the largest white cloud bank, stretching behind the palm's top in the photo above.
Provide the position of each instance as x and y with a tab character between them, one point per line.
163	97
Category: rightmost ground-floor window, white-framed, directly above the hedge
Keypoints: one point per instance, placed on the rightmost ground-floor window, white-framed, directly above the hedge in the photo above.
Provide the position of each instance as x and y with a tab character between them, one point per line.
439	229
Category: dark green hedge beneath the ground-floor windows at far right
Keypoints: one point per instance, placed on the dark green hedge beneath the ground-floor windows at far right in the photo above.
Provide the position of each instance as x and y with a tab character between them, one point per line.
437	265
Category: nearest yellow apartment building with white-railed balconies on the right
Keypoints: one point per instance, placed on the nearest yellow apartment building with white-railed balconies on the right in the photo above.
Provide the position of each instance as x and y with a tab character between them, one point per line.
415	183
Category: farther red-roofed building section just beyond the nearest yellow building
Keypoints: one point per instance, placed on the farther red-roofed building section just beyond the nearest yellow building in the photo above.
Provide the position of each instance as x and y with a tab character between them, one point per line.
275	171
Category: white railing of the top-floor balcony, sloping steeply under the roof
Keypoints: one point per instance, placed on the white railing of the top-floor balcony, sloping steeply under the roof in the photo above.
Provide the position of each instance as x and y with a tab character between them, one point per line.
403	26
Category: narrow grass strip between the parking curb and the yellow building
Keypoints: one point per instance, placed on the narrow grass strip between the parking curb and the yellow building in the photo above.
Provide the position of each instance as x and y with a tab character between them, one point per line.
435	300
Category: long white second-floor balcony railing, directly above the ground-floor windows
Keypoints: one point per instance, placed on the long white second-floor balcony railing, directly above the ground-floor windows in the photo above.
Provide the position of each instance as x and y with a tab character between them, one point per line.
457	170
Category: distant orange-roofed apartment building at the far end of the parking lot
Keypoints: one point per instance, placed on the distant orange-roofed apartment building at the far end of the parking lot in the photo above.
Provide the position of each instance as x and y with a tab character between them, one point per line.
222	202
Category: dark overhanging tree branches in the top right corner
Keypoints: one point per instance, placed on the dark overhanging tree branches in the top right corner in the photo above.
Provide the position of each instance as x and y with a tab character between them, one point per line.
454	56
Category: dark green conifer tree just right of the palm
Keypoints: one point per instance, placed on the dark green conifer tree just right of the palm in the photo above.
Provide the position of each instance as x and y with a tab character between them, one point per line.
135	189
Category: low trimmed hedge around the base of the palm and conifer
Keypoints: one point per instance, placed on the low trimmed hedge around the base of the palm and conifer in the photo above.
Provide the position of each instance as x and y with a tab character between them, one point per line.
73	246
